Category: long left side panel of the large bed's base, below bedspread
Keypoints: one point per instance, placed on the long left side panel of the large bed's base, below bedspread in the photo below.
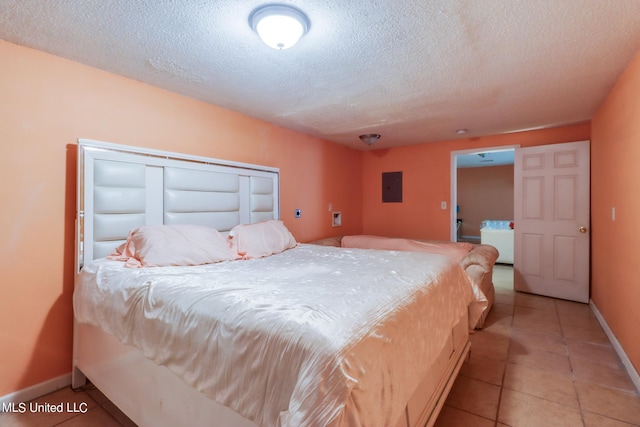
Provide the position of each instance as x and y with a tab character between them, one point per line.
149	394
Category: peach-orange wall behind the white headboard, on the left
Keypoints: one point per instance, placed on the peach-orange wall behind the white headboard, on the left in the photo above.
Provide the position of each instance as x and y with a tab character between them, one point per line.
46	104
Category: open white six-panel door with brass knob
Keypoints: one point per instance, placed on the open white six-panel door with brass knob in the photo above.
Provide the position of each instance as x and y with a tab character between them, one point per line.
551	215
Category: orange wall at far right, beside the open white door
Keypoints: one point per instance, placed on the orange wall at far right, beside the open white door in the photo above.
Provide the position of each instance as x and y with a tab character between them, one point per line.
615	182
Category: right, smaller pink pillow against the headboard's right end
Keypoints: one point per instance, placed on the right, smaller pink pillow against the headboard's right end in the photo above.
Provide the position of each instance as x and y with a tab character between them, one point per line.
261	239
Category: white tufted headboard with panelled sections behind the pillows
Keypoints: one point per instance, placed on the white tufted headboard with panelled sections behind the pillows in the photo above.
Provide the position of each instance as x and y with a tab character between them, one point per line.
122	187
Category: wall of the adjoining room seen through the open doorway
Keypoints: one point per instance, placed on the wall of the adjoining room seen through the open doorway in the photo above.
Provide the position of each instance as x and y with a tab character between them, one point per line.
484	193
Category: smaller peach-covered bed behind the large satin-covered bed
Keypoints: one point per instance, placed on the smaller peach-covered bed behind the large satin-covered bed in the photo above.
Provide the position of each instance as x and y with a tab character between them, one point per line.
476	260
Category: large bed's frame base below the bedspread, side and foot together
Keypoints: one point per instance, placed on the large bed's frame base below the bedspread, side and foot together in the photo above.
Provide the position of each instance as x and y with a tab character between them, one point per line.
152	395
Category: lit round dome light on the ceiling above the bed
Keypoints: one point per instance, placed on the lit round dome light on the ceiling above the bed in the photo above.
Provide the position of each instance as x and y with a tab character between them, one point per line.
279	26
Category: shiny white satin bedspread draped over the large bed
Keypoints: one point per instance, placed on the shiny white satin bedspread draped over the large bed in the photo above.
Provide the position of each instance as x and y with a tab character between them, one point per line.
312	336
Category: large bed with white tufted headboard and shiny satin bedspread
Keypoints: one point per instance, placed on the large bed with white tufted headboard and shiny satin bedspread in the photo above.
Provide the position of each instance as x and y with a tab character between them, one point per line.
304	336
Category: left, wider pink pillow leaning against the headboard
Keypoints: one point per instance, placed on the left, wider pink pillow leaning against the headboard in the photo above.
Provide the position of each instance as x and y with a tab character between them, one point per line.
164	245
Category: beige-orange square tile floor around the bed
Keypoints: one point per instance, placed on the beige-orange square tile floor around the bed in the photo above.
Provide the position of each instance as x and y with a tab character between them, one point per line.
538	362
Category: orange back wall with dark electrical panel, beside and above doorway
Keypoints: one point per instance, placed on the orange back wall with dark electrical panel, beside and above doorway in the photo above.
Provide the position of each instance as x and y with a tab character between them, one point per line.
427	180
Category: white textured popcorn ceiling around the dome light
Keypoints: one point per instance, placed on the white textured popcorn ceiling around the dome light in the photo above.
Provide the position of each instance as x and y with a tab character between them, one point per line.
414	71
